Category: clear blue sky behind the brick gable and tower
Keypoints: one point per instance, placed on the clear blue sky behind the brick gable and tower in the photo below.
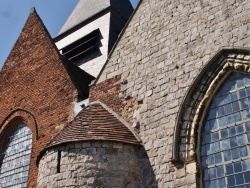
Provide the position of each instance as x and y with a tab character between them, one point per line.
13	14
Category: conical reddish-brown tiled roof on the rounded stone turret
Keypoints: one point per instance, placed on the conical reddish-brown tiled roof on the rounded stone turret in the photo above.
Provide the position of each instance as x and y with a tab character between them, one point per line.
96	122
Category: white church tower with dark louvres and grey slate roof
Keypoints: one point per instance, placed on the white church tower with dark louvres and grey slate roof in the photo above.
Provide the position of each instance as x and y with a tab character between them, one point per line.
90	32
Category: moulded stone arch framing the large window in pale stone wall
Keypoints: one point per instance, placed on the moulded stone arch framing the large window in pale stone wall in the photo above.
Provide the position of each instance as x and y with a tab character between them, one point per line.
197	100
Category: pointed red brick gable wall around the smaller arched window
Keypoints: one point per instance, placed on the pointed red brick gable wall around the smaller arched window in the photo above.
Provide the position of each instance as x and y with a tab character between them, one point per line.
35	89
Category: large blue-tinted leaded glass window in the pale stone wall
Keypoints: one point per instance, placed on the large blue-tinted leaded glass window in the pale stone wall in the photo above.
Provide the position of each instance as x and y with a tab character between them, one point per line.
225	135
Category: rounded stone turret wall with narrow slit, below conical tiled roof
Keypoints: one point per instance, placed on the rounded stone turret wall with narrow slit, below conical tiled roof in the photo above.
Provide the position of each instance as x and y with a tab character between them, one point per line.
90	164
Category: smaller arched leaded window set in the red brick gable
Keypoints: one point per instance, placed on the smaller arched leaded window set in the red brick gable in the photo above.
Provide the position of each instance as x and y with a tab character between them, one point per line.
15	159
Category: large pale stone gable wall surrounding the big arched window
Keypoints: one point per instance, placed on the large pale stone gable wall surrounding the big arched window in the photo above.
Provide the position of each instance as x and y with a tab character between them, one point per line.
159	55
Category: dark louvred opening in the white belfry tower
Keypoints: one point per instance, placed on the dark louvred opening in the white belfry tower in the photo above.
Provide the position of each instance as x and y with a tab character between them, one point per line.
83	47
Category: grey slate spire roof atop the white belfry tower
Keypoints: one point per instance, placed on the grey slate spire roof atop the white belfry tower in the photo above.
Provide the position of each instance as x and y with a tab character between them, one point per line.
86	9
